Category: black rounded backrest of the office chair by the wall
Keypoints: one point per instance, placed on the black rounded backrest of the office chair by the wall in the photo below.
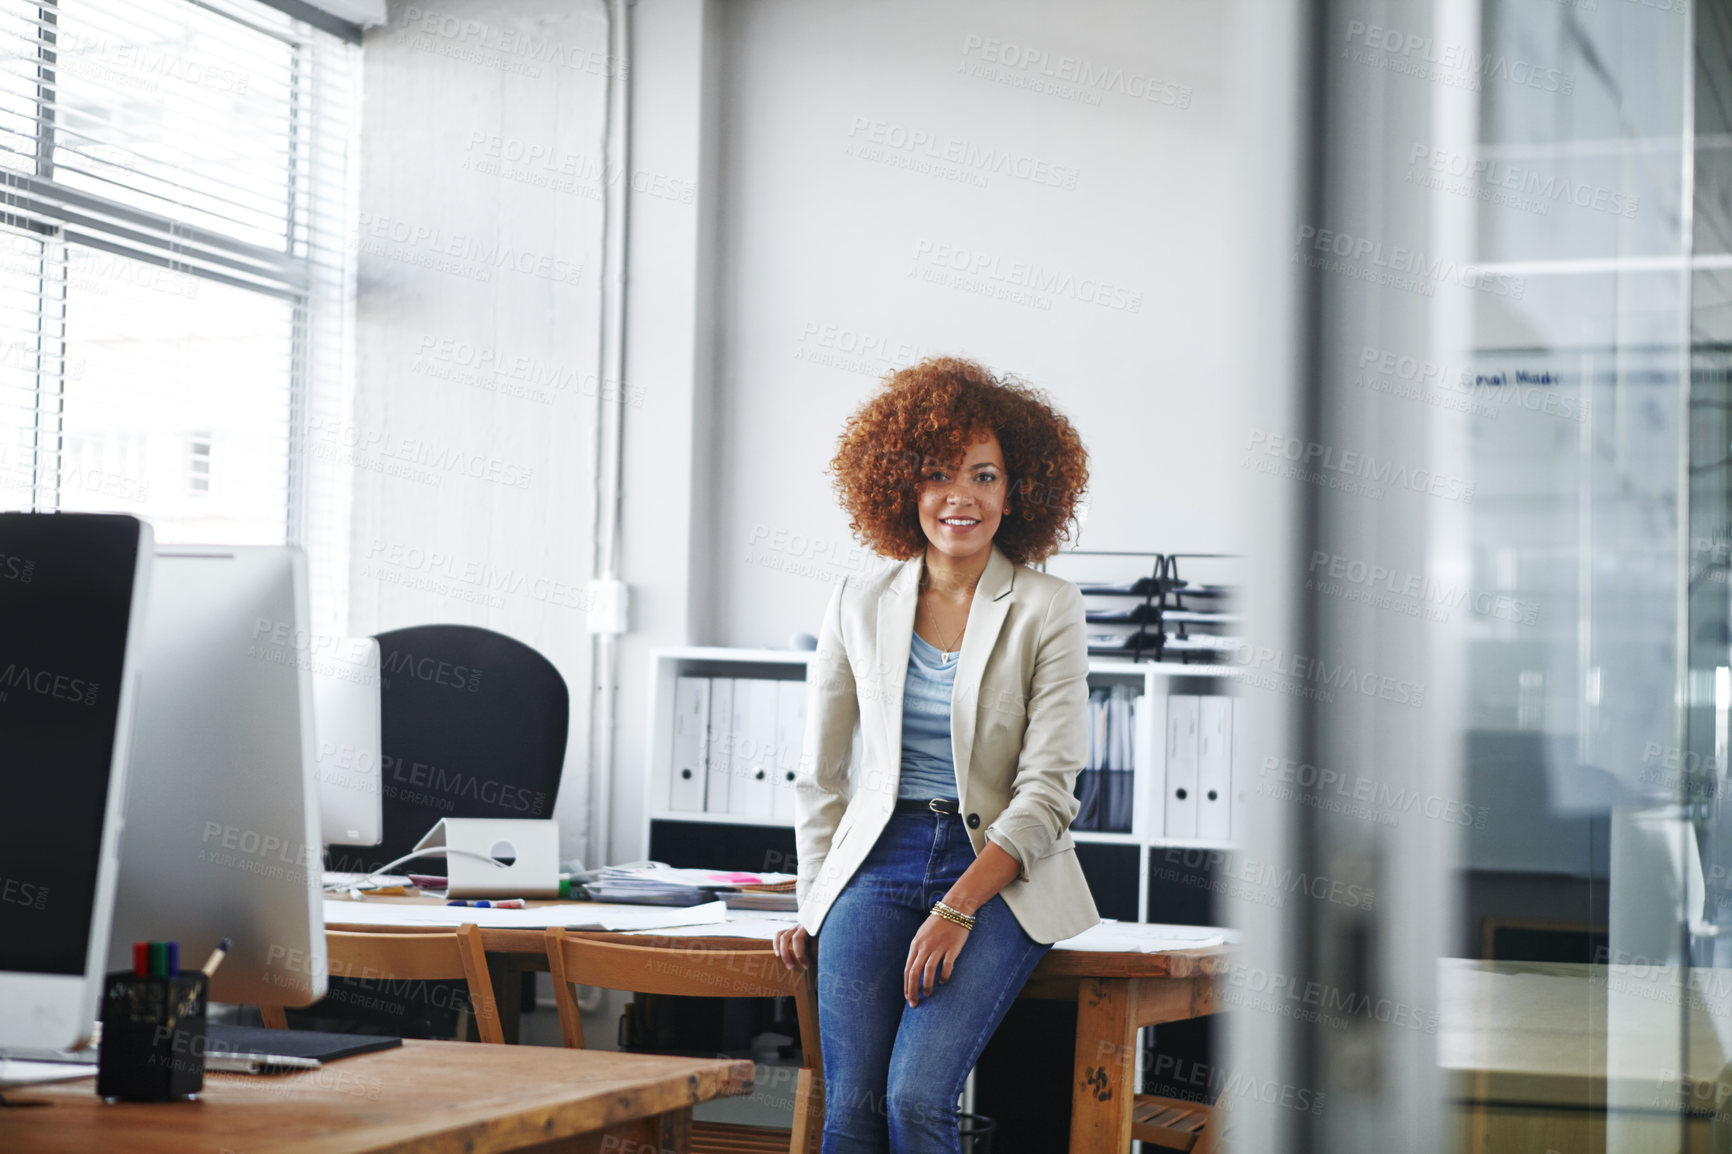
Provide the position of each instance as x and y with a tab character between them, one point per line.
474	725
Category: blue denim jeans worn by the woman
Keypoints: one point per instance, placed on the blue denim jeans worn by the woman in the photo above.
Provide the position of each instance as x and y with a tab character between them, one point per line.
893	1073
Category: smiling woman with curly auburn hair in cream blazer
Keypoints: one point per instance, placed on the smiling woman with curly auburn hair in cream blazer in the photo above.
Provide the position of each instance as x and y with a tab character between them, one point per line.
940	867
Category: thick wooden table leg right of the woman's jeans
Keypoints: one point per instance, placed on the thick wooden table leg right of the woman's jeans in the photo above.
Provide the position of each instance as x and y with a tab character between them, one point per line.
1106	1066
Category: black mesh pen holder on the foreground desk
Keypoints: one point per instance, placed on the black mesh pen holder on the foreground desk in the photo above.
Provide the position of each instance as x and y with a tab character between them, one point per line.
153	1037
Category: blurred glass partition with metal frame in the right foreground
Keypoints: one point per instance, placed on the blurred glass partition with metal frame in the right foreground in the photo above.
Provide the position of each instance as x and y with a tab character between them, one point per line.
1509	658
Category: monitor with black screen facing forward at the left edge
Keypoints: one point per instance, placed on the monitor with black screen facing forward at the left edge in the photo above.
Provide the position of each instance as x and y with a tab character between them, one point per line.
72	607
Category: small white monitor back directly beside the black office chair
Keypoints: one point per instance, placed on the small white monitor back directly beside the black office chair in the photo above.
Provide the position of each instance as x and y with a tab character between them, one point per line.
347	723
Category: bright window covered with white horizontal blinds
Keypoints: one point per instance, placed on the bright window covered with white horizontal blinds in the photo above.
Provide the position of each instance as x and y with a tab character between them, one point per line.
176	282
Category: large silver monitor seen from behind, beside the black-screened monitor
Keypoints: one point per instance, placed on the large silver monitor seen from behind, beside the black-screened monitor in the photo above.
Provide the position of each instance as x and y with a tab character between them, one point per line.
223	815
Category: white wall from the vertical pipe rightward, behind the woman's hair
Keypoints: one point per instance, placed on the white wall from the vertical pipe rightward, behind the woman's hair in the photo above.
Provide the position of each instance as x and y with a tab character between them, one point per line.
744	301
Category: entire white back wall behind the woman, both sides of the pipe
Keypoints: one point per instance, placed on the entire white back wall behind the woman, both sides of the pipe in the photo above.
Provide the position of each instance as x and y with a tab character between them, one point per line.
763	256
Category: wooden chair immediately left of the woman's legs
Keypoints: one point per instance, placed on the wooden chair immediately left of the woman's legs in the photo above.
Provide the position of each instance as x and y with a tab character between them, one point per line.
704	975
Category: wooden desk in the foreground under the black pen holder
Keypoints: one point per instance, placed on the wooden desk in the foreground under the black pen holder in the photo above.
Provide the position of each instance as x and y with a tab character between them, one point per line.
432	1098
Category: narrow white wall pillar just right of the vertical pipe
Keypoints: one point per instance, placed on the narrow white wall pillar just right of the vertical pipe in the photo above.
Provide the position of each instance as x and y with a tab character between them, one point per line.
669	340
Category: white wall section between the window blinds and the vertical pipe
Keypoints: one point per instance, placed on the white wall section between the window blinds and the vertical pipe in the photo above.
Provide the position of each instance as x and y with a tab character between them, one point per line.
481	240
